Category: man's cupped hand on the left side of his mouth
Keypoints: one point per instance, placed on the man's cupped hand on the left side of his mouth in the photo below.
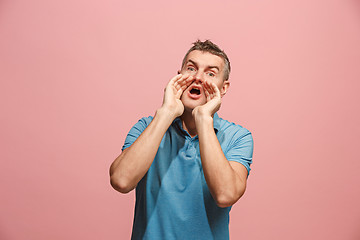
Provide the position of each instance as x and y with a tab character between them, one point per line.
173	91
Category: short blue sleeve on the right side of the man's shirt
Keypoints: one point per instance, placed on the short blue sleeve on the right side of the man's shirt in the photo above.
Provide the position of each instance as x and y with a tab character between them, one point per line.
241	148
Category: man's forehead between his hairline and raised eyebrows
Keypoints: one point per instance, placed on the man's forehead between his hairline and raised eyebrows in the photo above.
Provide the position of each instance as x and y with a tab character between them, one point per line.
205	59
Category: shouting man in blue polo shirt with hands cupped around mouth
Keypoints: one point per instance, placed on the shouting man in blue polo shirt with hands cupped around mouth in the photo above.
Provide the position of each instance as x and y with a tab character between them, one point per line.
188	165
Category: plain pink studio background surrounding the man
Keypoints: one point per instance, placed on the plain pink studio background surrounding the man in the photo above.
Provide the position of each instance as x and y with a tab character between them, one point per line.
77	74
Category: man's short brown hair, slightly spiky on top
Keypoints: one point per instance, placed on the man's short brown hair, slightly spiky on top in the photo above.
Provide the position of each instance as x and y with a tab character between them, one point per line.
208	46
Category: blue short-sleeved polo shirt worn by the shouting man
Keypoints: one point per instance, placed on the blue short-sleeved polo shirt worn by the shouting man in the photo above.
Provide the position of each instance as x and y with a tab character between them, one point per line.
172	199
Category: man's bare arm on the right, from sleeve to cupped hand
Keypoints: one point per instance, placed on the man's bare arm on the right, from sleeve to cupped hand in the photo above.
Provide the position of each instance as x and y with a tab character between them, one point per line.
226	179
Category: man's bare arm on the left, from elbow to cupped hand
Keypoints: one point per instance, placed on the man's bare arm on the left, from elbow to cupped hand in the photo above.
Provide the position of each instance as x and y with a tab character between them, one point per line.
133	163
